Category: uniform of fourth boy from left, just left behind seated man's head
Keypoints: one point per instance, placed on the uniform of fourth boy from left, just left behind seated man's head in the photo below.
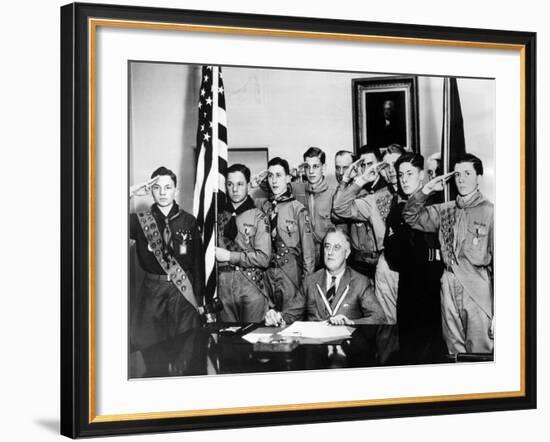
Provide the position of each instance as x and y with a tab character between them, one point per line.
319	204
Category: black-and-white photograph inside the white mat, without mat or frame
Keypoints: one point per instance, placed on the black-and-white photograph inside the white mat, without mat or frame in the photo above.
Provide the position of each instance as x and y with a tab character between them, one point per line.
289	220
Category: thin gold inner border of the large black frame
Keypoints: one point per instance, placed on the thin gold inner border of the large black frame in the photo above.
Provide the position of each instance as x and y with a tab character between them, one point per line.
93	24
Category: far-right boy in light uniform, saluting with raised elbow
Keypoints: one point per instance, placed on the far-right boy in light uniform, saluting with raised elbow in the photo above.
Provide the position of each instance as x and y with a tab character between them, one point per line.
465	229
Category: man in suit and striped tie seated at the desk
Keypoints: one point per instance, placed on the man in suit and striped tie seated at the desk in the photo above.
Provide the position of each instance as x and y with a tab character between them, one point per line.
338	293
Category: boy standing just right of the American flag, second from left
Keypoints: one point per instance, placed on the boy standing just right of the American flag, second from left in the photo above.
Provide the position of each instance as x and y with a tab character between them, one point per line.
244	252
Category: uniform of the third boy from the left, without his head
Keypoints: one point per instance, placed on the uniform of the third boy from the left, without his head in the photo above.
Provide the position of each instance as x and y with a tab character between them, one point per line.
293	251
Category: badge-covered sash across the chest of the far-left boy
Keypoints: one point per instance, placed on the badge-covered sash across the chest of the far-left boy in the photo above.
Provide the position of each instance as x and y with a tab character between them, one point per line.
167	262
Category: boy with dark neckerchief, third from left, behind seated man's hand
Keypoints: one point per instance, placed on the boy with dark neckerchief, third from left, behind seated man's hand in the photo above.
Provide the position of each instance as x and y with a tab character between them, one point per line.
293	250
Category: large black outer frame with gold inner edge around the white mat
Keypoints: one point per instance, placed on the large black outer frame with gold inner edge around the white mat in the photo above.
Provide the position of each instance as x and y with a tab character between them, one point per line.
78	417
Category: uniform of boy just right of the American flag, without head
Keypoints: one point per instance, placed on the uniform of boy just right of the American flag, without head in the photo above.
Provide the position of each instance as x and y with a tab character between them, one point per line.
242	287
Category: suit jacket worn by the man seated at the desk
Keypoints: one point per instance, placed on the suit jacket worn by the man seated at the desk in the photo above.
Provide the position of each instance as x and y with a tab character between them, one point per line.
358	304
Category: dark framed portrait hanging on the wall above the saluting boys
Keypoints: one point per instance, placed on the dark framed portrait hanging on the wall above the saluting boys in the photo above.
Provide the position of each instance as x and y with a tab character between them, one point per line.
369	96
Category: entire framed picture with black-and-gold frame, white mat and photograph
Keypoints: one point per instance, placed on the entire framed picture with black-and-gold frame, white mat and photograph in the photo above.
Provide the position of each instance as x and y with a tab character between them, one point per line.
160	102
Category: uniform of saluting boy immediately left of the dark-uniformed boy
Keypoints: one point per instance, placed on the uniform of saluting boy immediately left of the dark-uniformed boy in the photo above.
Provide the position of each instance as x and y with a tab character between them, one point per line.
367	210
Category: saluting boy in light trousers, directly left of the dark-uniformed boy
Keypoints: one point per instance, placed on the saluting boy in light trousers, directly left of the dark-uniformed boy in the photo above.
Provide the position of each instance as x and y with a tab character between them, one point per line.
366	202
